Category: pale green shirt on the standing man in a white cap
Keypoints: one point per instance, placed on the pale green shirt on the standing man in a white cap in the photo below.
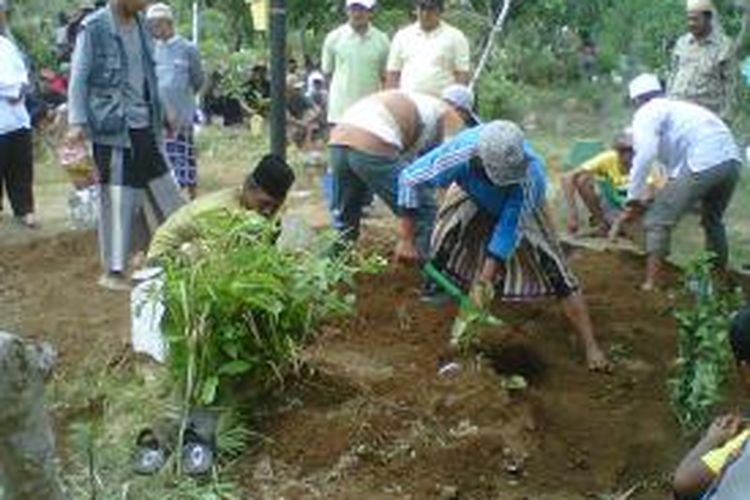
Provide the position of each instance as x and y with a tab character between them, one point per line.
357	63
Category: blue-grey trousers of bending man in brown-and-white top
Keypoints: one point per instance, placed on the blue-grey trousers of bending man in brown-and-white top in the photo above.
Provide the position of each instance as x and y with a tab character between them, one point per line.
355	174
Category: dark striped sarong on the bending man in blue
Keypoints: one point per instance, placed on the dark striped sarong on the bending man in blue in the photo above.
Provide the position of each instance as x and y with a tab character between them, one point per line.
538	267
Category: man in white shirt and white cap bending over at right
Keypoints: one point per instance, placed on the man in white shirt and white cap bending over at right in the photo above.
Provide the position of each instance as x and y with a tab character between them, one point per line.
702	162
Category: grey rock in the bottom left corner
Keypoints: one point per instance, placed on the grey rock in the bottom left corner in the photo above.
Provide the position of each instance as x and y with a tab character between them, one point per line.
27	451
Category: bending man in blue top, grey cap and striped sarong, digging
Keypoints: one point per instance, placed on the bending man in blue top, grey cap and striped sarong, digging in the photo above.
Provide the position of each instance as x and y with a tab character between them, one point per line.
493	235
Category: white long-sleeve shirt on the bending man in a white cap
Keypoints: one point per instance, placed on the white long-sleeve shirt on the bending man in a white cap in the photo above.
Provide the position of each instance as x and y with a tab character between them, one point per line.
684	137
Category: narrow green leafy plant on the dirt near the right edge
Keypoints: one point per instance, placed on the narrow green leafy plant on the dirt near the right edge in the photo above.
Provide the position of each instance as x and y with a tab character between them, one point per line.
704	359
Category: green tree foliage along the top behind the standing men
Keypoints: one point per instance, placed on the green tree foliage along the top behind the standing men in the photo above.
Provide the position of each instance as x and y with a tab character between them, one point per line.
539	46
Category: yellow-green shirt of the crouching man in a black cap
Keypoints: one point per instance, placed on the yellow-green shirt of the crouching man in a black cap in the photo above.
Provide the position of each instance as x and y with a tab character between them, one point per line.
184	226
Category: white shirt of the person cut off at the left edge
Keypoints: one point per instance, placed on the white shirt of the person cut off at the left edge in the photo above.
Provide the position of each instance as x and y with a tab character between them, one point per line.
13	77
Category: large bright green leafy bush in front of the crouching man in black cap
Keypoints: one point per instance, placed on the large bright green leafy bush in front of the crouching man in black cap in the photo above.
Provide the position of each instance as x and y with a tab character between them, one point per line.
239	310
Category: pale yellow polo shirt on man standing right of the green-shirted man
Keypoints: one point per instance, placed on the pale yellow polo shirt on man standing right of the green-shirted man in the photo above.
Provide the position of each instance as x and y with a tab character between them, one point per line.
428	61
